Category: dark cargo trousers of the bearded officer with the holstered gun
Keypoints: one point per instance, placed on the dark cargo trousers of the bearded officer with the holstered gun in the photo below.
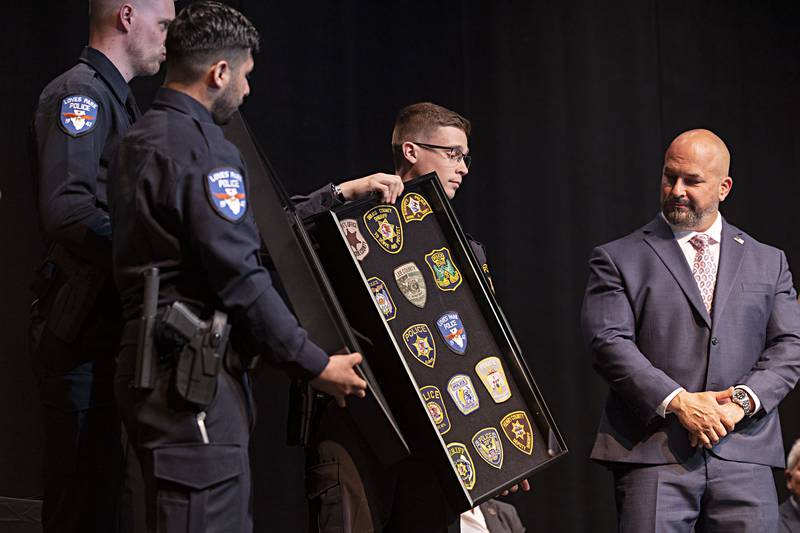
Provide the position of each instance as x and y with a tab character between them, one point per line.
195	463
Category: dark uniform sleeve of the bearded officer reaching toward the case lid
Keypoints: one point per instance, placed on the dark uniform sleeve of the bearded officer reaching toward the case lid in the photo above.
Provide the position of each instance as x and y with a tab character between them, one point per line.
227	244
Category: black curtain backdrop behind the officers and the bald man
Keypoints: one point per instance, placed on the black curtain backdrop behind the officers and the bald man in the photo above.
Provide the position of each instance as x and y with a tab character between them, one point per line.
572	103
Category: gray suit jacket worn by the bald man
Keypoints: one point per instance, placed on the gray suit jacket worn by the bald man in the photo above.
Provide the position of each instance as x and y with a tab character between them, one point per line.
649	333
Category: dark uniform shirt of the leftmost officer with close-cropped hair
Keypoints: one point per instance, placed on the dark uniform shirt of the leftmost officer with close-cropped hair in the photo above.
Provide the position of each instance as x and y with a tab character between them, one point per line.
79	121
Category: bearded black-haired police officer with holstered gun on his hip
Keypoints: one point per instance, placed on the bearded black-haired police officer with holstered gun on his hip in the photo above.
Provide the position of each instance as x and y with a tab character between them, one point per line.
180	203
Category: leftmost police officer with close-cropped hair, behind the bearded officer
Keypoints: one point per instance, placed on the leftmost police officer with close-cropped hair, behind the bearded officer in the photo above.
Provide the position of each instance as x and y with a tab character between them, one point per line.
79	121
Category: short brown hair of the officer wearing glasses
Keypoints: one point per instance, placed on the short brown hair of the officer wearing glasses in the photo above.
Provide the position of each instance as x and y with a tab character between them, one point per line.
417	122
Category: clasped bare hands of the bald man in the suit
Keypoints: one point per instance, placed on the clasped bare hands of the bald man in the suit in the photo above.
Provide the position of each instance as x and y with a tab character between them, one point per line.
707	416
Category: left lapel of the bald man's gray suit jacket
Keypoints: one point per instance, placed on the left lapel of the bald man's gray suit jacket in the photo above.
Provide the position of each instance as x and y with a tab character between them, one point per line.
660	238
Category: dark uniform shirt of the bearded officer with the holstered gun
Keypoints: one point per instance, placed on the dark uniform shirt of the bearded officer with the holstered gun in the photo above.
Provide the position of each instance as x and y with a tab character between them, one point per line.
179	202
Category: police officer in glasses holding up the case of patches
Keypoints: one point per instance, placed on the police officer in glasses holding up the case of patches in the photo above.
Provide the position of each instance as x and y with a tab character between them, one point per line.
348	489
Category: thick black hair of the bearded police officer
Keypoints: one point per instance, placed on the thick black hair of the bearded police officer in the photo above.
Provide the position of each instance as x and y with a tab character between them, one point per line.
204	33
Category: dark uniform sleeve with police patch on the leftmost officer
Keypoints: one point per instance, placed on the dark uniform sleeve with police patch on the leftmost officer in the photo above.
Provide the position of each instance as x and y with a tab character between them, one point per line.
67	163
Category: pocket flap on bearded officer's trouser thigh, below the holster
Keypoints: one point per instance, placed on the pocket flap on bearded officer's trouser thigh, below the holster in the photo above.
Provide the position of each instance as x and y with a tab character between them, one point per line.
198	466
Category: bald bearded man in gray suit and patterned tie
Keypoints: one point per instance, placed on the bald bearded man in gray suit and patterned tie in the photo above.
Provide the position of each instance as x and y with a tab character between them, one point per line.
695	327
